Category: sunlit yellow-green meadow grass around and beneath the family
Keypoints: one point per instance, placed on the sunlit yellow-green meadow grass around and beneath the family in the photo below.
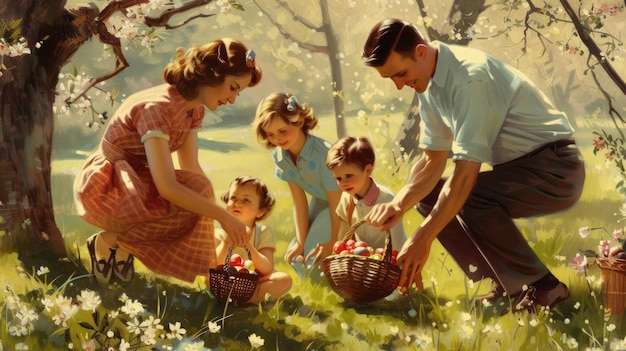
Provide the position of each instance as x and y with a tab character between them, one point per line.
312	317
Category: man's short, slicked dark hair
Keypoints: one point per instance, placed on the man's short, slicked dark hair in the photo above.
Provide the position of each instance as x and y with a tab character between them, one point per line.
390	35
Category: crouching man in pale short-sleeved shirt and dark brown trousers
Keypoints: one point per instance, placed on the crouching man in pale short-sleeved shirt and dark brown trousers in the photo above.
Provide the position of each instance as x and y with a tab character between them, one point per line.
480	110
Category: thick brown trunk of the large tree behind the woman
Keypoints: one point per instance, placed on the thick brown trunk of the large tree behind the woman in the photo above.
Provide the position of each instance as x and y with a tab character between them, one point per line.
27	92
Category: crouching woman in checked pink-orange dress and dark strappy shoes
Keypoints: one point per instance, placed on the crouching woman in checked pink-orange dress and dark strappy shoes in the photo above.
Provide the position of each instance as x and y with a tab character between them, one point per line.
130	188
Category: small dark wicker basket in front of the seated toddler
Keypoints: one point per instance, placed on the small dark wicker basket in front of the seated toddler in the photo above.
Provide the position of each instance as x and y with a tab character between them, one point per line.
238	287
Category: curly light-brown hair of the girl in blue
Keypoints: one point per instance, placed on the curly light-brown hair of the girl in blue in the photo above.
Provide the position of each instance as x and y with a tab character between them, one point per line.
282	105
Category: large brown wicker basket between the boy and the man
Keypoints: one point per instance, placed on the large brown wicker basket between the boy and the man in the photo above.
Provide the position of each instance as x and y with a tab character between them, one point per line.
360	279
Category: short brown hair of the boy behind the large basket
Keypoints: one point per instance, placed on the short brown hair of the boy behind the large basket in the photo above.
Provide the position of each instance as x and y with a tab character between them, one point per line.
356	151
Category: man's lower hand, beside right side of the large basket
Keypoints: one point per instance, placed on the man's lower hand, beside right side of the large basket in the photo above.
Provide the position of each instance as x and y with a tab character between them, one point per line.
412	258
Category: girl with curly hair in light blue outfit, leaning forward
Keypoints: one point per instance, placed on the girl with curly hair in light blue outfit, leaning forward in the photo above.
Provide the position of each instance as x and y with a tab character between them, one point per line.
283	124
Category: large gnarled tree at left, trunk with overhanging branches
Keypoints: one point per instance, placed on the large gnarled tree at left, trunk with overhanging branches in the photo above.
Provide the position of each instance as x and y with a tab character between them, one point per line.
39	37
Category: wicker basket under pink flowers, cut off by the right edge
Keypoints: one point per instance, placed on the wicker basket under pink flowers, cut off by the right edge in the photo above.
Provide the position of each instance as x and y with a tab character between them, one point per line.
614	283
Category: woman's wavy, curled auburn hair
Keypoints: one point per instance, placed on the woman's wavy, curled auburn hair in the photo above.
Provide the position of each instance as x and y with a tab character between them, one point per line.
209	64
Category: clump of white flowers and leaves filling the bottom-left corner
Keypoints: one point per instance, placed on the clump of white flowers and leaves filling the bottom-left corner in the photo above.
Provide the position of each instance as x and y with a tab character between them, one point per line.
125	328
